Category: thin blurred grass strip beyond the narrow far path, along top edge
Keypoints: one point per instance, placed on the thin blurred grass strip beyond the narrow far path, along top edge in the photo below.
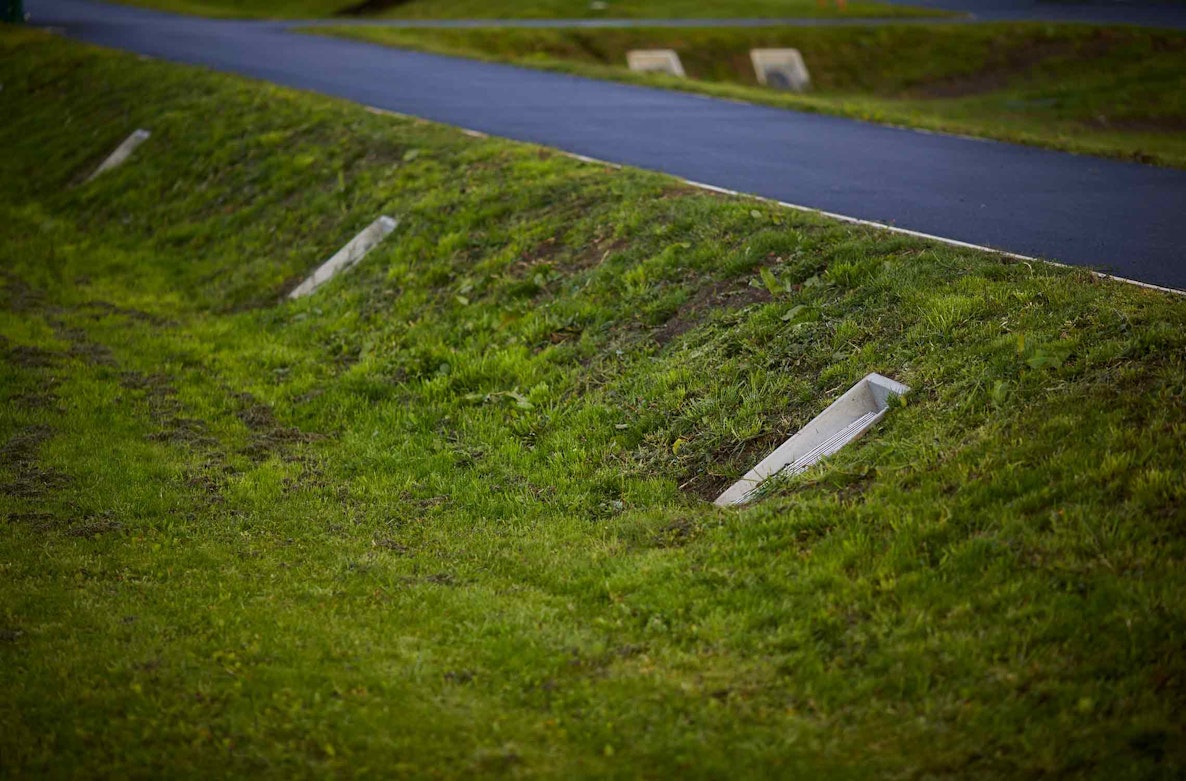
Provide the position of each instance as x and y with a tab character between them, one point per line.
538	9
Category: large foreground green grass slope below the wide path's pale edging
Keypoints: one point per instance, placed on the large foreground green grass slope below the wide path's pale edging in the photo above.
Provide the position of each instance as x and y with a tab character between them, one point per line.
448	516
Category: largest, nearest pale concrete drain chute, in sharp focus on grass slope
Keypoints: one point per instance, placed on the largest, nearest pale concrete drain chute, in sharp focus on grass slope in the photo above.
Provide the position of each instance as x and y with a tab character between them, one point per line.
845	420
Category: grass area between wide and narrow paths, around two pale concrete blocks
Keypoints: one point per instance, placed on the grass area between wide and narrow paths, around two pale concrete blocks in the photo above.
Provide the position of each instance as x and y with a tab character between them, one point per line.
1115	92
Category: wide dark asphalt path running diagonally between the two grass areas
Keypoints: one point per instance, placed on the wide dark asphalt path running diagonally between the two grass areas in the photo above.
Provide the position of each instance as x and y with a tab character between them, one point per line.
1120	219
